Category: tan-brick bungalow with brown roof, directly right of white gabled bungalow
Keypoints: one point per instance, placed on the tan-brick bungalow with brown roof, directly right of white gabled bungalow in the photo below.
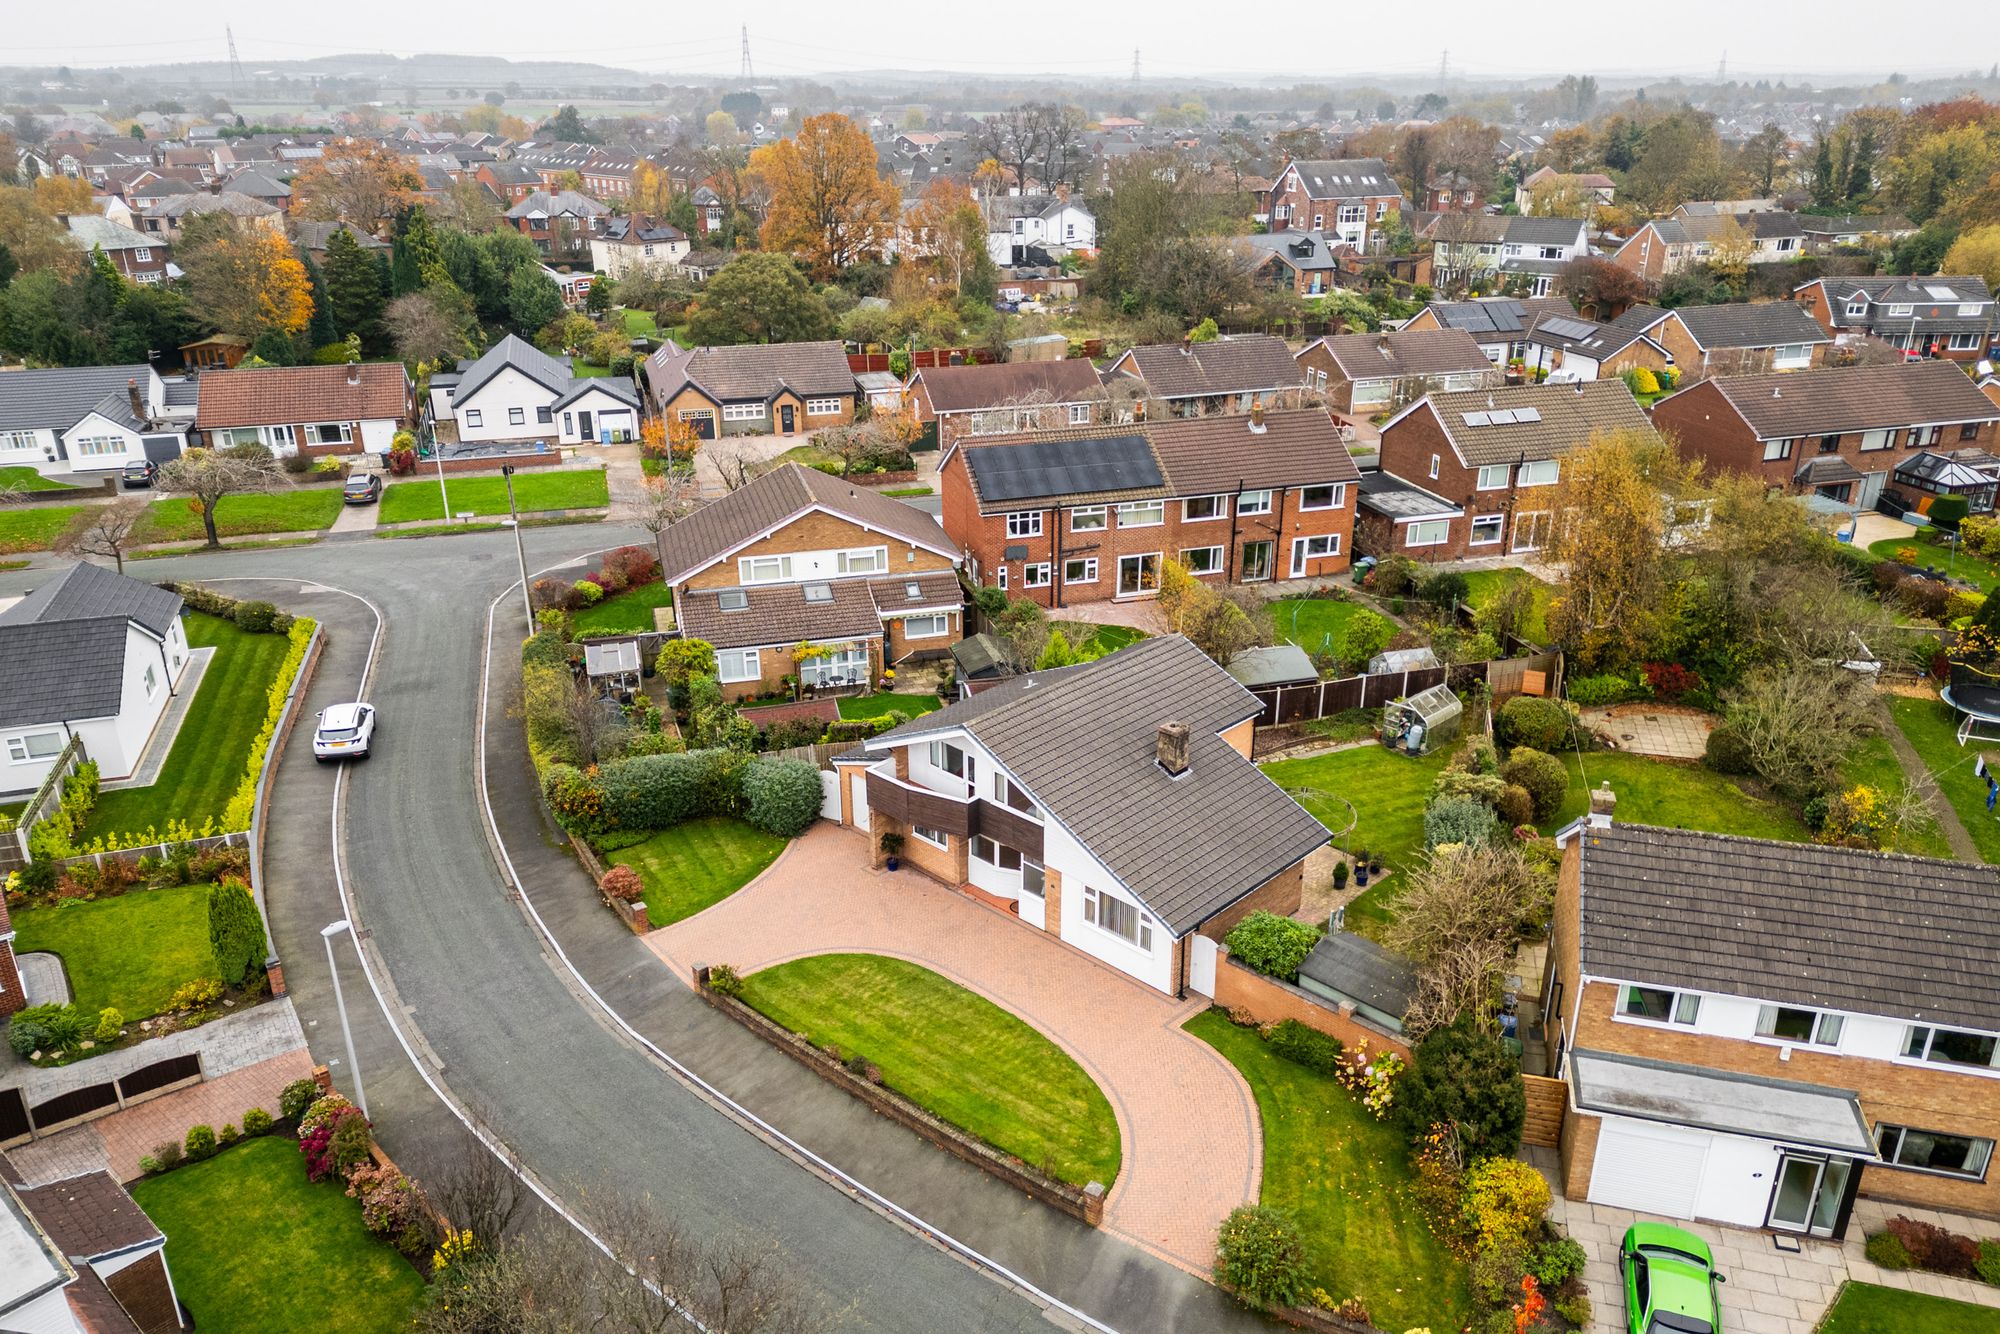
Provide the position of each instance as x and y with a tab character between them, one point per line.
753	389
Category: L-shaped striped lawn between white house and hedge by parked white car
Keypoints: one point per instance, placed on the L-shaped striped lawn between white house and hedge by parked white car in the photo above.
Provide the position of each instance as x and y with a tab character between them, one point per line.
213	749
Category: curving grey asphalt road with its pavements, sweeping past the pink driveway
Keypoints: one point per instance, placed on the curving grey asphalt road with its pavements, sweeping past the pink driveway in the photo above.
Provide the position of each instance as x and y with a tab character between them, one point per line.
505	1029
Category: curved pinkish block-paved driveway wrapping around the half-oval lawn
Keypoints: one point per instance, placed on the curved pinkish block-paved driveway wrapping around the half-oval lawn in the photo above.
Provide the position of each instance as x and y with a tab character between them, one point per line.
1189	1127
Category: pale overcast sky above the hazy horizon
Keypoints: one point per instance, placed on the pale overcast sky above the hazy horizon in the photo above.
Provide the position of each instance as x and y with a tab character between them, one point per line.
1177	39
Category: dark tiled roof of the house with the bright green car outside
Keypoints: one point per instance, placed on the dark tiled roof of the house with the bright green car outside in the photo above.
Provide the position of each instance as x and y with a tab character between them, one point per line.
1871	933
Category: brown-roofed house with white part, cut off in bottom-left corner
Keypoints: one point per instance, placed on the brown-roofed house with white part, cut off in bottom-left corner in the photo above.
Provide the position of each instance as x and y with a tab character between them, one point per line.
81	1259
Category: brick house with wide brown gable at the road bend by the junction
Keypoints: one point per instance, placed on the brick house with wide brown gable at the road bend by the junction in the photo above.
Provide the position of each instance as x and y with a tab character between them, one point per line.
799	557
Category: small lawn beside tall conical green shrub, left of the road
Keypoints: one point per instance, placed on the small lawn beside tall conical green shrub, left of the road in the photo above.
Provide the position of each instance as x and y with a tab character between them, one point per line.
131	951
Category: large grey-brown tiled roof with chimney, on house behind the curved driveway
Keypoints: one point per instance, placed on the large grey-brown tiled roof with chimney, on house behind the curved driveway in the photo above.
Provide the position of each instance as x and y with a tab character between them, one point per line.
1083	743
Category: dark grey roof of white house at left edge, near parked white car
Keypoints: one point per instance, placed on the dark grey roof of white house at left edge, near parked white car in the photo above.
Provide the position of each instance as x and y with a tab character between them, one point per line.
63	647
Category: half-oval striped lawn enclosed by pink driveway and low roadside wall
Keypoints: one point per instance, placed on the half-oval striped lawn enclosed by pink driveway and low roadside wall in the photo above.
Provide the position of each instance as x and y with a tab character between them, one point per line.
955	1053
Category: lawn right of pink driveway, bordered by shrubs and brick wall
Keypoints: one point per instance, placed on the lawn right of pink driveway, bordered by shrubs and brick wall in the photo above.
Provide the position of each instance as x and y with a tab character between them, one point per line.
1345	1177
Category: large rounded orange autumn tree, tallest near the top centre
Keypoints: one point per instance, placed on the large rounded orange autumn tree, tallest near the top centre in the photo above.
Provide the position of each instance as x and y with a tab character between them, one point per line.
829	205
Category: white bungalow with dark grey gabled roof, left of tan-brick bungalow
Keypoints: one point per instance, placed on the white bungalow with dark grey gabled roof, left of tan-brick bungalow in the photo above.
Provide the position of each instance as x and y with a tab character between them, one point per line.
521	393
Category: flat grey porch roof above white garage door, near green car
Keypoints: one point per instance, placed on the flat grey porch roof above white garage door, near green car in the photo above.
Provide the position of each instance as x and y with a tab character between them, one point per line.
1723	1101
